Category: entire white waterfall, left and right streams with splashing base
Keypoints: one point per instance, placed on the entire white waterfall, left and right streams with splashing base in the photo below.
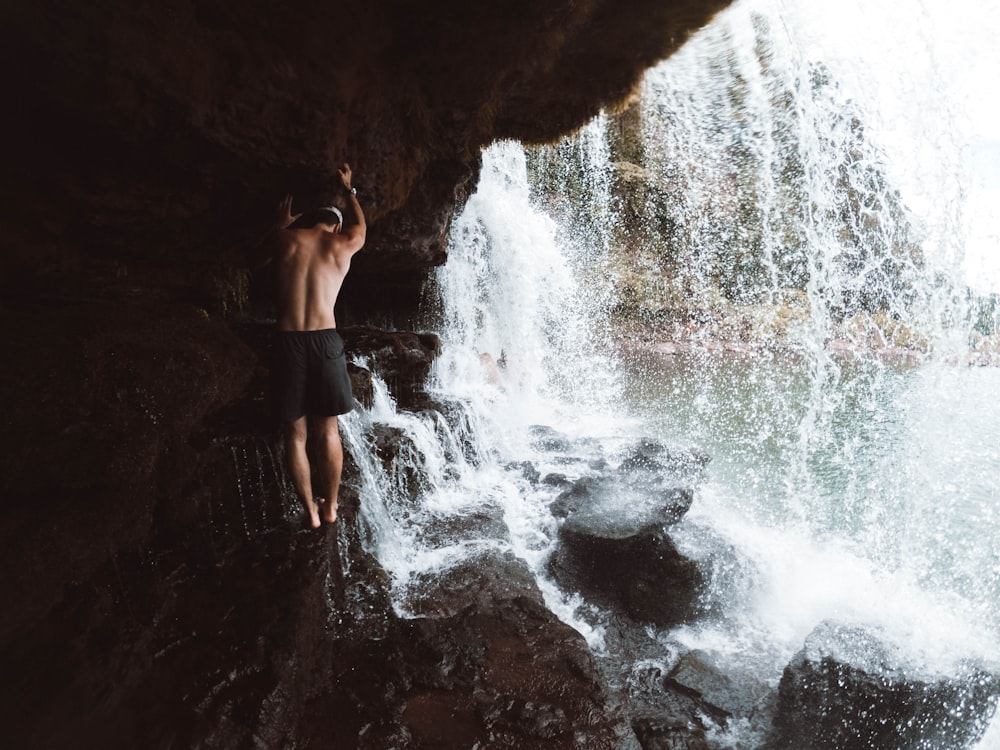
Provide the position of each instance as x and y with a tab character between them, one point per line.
740	263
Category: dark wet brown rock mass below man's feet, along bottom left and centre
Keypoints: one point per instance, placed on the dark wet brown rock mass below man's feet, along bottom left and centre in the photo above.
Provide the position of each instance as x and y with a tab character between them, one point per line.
256	631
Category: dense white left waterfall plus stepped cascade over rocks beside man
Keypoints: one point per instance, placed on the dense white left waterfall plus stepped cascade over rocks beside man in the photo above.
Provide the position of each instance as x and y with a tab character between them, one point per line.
523	364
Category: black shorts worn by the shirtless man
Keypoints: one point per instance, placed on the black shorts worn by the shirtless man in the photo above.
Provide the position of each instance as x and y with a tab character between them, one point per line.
309	375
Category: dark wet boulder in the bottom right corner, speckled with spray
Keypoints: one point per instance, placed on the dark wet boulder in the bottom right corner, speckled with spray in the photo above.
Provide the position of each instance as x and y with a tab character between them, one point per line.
848	690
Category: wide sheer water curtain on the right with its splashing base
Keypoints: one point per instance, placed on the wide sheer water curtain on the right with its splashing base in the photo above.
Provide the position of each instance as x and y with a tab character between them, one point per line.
781	229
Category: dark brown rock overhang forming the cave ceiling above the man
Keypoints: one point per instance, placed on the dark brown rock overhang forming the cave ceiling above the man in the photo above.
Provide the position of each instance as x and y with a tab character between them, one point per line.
150	141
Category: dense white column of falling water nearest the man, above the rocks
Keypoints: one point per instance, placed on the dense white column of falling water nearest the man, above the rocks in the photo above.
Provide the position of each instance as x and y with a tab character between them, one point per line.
511	293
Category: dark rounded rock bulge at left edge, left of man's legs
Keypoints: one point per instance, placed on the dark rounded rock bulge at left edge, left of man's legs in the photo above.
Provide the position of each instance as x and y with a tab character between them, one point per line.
100	399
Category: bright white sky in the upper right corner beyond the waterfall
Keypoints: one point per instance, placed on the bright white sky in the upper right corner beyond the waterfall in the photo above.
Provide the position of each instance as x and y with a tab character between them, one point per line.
931	68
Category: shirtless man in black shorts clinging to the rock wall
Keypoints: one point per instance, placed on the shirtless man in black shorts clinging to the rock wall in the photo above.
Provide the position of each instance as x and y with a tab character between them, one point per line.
312	254
